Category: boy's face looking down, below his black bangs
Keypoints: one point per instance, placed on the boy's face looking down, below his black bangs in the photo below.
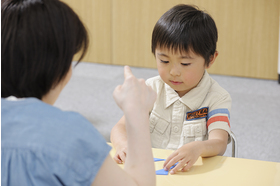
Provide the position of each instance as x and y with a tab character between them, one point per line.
181	71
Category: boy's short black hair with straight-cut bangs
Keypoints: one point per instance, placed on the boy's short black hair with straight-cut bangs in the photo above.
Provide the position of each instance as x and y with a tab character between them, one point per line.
186	28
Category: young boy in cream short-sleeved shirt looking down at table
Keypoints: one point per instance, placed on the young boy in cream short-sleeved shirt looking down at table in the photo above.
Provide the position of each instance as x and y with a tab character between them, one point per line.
191	113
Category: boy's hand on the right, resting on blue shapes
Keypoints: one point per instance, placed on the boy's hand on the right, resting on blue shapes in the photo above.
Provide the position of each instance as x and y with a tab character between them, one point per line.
186	156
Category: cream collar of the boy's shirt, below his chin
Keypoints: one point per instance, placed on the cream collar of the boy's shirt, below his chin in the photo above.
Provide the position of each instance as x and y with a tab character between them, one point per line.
194	98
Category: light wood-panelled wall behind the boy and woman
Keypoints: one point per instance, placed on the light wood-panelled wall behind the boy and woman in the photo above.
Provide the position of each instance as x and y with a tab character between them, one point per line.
248	33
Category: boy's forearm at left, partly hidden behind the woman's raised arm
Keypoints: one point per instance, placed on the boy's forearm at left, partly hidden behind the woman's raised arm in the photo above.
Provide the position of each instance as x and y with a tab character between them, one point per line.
119	140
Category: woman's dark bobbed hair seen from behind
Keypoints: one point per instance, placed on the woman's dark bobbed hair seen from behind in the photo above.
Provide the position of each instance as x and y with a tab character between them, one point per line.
39	40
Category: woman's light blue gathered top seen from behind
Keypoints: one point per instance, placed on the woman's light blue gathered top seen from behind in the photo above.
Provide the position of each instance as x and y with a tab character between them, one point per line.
42	145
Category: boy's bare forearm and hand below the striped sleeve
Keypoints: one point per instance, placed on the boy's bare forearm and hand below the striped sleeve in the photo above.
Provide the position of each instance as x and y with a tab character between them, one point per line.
188	154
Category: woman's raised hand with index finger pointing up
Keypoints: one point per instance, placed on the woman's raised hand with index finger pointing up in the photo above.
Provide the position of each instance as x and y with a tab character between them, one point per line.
134	95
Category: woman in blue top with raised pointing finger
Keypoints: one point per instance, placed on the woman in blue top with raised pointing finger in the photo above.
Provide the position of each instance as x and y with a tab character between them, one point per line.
42	145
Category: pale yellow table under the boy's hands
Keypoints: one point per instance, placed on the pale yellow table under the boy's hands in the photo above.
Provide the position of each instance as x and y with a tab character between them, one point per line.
219	171
